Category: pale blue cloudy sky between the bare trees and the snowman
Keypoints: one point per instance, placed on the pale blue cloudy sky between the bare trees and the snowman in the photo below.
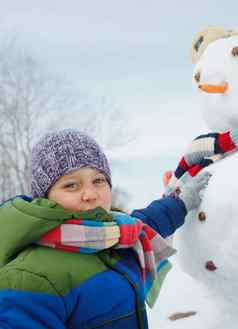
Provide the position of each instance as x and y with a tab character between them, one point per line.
135	52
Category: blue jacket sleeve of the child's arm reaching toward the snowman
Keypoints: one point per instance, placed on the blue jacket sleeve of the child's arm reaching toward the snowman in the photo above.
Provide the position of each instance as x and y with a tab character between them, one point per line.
164	215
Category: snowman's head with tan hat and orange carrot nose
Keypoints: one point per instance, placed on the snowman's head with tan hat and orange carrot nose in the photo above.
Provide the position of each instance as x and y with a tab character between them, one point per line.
215	77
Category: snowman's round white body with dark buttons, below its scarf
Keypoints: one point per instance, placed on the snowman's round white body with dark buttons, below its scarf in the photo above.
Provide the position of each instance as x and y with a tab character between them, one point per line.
216	238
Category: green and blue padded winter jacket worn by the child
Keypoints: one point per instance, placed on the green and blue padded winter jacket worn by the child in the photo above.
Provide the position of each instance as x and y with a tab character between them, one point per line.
44	288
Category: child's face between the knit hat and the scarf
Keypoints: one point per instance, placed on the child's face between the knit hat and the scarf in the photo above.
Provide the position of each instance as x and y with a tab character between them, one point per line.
82	189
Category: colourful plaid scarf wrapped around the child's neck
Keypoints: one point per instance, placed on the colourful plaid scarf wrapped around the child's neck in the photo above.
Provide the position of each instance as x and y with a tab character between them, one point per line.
119	230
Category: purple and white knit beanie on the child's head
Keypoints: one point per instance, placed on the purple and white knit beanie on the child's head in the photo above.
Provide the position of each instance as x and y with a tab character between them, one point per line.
57	154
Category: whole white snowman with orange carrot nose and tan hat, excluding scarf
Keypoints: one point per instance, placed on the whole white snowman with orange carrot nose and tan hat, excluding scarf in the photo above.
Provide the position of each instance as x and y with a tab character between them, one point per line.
208	242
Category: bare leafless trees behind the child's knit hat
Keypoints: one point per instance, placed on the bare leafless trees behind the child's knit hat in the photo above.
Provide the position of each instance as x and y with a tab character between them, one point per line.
32	101
